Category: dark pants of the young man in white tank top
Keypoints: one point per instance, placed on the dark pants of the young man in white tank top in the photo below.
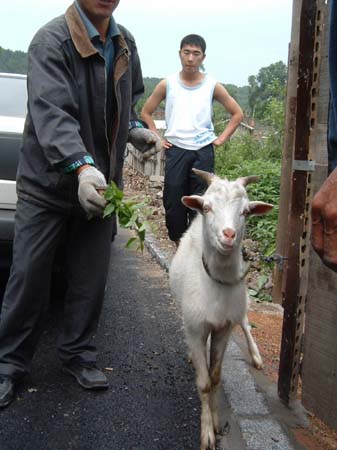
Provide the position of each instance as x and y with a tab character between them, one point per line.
179	181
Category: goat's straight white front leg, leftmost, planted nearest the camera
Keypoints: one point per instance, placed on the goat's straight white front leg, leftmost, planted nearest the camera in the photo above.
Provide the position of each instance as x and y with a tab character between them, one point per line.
198	349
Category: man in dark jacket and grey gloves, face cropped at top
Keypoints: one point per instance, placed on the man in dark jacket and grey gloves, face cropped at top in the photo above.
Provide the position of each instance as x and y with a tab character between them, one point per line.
84	78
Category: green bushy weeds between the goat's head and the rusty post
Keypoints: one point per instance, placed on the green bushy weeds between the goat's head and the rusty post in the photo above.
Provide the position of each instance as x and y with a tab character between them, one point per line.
243	156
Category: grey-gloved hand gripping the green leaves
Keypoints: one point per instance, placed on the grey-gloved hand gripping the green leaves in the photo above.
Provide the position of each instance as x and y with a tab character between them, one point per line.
90	180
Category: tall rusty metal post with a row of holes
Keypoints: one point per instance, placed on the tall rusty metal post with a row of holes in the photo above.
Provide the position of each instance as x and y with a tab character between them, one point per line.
295	280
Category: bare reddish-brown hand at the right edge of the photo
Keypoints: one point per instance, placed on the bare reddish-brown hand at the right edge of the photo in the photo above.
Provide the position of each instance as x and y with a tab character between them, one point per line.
324	222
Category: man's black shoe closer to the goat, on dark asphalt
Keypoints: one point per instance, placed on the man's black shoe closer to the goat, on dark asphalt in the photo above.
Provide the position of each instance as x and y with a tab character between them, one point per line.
88	376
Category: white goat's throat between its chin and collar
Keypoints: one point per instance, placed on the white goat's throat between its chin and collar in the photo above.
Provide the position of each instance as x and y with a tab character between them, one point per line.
225	268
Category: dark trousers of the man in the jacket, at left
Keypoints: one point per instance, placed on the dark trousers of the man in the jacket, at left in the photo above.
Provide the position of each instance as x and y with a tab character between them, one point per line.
38	233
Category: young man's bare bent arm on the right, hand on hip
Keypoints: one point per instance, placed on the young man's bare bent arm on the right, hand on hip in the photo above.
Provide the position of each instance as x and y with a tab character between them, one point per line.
228	102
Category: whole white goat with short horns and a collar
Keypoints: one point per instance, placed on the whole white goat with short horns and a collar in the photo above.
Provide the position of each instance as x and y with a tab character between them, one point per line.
207	278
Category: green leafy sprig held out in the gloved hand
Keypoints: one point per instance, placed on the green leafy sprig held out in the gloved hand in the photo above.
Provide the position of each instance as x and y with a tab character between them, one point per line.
131	214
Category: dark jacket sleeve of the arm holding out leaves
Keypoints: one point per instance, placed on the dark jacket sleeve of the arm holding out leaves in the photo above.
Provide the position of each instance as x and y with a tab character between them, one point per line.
53	106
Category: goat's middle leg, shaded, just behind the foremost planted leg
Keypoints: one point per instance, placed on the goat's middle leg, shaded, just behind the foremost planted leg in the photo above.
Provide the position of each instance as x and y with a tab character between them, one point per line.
219	340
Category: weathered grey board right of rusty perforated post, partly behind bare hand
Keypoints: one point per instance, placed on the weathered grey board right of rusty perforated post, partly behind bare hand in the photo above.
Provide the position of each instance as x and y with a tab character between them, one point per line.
319	364
